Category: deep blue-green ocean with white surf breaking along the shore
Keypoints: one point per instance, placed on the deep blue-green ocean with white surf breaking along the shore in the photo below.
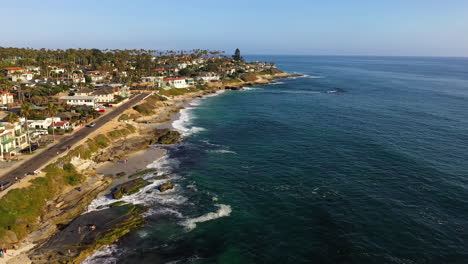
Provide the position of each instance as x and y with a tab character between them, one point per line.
361	160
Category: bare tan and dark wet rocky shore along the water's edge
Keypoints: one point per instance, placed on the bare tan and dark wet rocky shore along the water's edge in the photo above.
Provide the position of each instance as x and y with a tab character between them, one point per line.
57	239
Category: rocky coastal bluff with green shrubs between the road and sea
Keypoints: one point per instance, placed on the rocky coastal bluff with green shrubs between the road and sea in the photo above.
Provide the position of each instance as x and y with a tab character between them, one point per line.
55	201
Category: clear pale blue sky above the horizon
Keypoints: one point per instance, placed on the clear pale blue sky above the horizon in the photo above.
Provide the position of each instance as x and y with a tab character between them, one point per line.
358	27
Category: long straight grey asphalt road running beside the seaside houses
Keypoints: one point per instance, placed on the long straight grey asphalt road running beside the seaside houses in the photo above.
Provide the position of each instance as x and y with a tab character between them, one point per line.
47	155
